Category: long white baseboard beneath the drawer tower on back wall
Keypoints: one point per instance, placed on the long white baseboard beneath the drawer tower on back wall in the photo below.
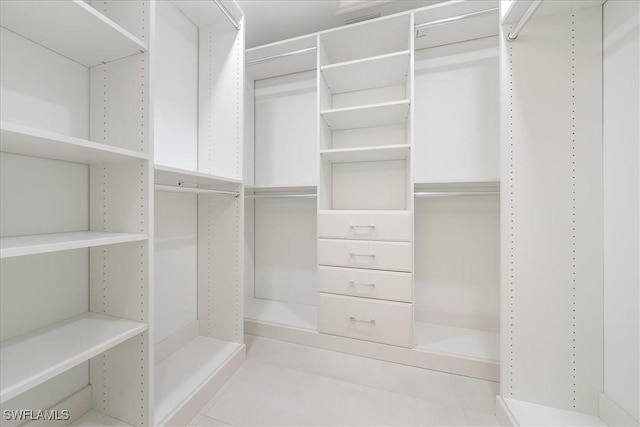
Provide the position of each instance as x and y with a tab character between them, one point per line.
460	365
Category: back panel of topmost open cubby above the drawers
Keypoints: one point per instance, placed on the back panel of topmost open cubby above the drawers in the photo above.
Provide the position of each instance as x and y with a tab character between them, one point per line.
367	39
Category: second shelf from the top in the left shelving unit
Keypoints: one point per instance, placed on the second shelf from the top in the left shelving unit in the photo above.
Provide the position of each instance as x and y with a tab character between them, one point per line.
27	141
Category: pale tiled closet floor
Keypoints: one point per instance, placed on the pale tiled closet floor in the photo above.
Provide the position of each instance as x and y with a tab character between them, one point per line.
289	384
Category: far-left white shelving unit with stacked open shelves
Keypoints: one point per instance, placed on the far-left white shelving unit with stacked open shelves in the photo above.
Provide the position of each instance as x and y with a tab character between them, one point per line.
76	191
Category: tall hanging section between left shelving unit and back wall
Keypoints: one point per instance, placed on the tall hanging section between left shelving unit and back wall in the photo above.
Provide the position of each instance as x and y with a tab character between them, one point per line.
199	80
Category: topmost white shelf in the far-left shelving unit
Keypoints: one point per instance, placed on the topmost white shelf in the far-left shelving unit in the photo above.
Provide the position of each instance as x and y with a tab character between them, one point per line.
71	28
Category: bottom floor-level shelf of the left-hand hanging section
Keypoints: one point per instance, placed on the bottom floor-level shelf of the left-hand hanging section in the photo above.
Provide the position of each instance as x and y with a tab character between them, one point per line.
179	375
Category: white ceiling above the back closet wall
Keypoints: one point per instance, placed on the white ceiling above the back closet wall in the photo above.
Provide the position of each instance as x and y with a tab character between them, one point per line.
269	21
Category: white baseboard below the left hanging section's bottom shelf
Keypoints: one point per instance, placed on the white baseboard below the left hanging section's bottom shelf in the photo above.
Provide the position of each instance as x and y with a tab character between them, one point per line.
190	407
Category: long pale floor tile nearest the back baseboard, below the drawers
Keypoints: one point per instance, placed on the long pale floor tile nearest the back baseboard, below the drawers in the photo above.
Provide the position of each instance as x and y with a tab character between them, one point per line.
411	381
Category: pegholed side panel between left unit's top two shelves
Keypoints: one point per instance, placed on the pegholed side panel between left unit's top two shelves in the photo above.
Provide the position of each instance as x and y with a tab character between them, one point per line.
119	103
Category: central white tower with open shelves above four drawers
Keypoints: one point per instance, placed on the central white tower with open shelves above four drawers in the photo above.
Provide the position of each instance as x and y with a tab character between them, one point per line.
365	197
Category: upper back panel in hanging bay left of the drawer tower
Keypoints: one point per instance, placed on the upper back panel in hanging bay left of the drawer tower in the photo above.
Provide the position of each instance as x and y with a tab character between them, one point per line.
285	130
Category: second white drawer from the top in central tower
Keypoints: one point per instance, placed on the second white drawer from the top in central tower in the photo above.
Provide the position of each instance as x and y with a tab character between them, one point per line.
393	256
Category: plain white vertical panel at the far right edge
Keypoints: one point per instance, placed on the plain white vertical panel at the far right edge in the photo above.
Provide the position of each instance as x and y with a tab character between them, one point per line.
622	205
